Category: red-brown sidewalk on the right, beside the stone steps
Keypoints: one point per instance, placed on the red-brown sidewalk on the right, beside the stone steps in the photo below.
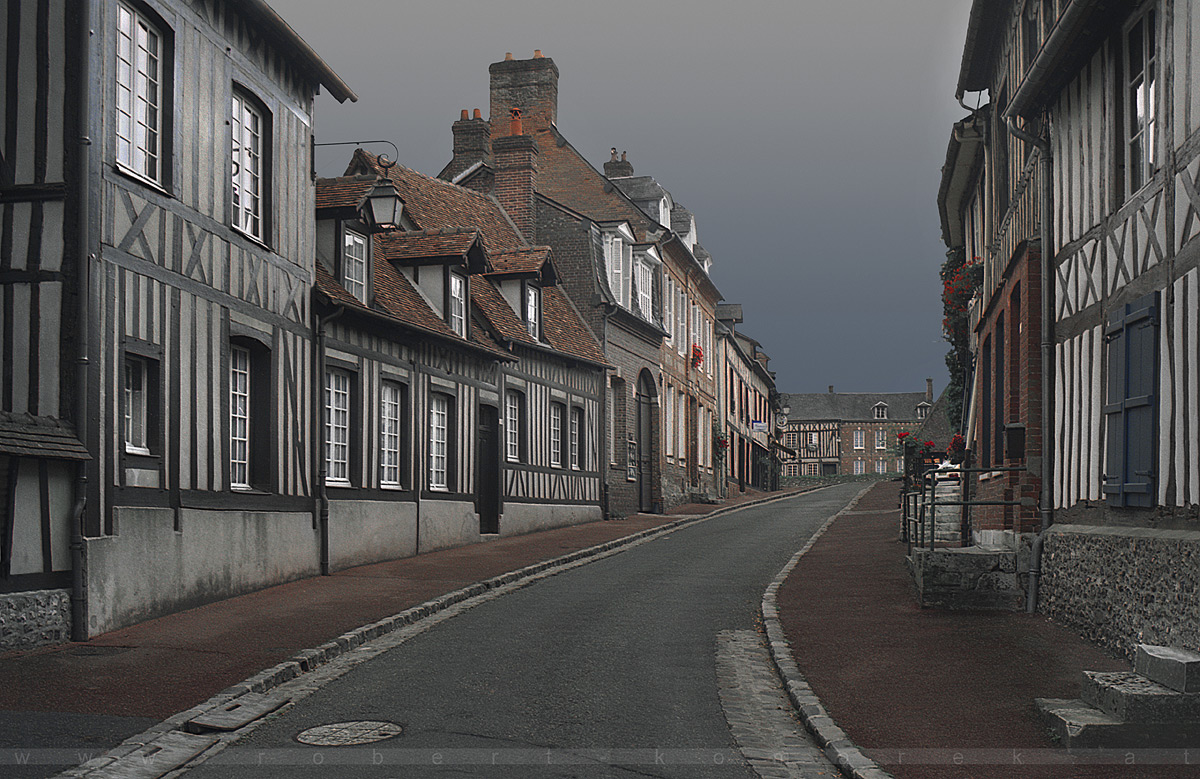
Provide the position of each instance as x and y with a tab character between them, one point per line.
901	680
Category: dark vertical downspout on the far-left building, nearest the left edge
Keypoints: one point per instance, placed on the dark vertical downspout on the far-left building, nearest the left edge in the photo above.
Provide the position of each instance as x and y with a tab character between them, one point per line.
83	362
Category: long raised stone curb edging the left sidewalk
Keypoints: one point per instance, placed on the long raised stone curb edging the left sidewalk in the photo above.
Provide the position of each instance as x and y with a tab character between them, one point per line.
308	661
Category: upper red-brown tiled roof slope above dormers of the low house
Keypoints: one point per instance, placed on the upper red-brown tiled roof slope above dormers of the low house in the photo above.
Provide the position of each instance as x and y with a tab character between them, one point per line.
436	205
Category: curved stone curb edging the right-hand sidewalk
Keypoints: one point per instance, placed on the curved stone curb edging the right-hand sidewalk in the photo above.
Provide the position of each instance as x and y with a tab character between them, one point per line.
850	760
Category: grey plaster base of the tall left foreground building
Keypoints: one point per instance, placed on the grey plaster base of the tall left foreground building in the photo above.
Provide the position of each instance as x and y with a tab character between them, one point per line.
149	568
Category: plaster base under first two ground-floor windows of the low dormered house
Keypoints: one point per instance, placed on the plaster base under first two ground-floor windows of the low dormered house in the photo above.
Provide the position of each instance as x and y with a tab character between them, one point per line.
363	532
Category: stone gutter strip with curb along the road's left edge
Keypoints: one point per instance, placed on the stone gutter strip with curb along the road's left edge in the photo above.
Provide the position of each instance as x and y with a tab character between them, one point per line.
161	752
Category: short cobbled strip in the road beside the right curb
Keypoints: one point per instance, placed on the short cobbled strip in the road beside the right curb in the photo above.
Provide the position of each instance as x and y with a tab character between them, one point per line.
760	715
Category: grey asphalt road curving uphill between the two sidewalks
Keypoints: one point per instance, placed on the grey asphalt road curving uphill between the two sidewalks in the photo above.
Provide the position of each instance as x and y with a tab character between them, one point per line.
607	670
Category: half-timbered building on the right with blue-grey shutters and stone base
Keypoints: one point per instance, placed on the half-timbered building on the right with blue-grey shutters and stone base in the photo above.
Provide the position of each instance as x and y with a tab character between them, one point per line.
1101	106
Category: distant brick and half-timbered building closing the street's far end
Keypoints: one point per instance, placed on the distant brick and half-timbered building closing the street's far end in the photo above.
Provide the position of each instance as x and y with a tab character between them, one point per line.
850	433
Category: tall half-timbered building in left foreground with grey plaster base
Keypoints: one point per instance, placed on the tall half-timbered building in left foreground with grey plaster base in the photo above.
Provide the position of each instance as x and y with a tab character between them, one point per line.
158	248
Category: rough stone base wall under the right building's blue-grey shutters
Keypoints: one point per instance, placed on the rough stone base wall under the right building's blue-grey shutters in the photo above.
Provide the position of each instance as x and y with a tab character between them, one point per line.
1124	586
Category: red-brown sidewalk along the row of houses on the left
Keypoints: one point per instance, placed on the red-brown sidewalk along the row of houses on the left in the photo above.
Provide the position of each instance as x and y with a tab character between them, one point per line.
163	667
